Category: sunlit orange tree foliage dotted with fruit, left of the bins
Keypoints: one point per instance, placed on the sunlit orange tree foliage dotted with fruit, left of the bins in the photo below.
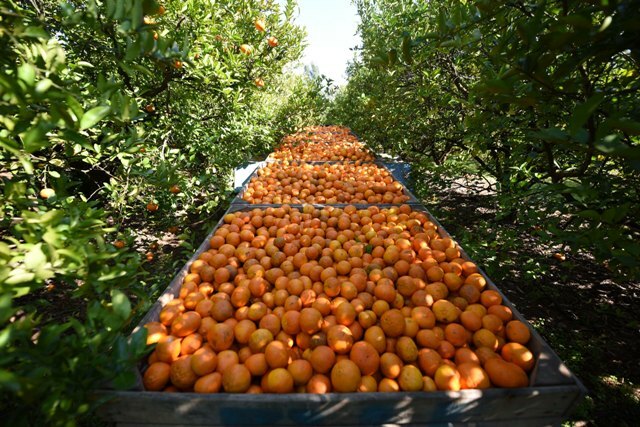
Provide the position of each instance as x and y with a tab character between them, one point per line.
118	114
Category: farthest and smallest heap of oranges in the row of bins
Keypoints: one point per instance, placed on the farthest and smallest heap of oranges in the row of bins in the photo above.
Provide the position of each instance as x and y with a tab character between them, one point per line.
322	143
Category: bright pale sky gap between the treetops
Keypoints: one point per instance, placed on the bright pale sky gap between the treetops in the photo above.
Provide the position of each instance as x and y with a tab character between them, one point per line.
331	32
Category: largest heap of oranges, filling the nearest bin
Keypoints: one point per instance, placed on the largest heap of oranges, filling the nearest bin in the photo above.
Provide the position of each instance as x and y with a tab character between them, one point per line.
334	300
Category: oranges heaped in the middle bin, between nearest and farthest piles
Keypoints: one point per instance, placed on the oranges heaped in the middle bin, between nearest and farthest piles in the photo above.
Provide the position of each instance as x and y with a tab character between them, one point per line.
349	182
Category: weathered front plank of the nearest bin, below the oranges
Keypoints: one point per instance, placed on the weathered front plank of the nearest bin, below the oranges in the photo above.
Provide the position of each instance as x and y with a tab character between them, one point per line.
477	406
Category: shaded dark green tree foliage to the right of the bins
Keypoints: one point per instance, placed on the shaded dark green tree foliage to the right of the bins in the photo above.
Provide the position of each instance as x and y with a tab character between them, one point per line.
539	97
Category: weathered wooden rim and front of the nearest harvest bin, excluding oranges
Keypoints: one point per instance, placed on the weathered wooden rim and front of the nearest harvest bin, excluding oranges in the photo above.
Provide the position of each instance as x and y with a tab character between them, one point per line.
552	394
